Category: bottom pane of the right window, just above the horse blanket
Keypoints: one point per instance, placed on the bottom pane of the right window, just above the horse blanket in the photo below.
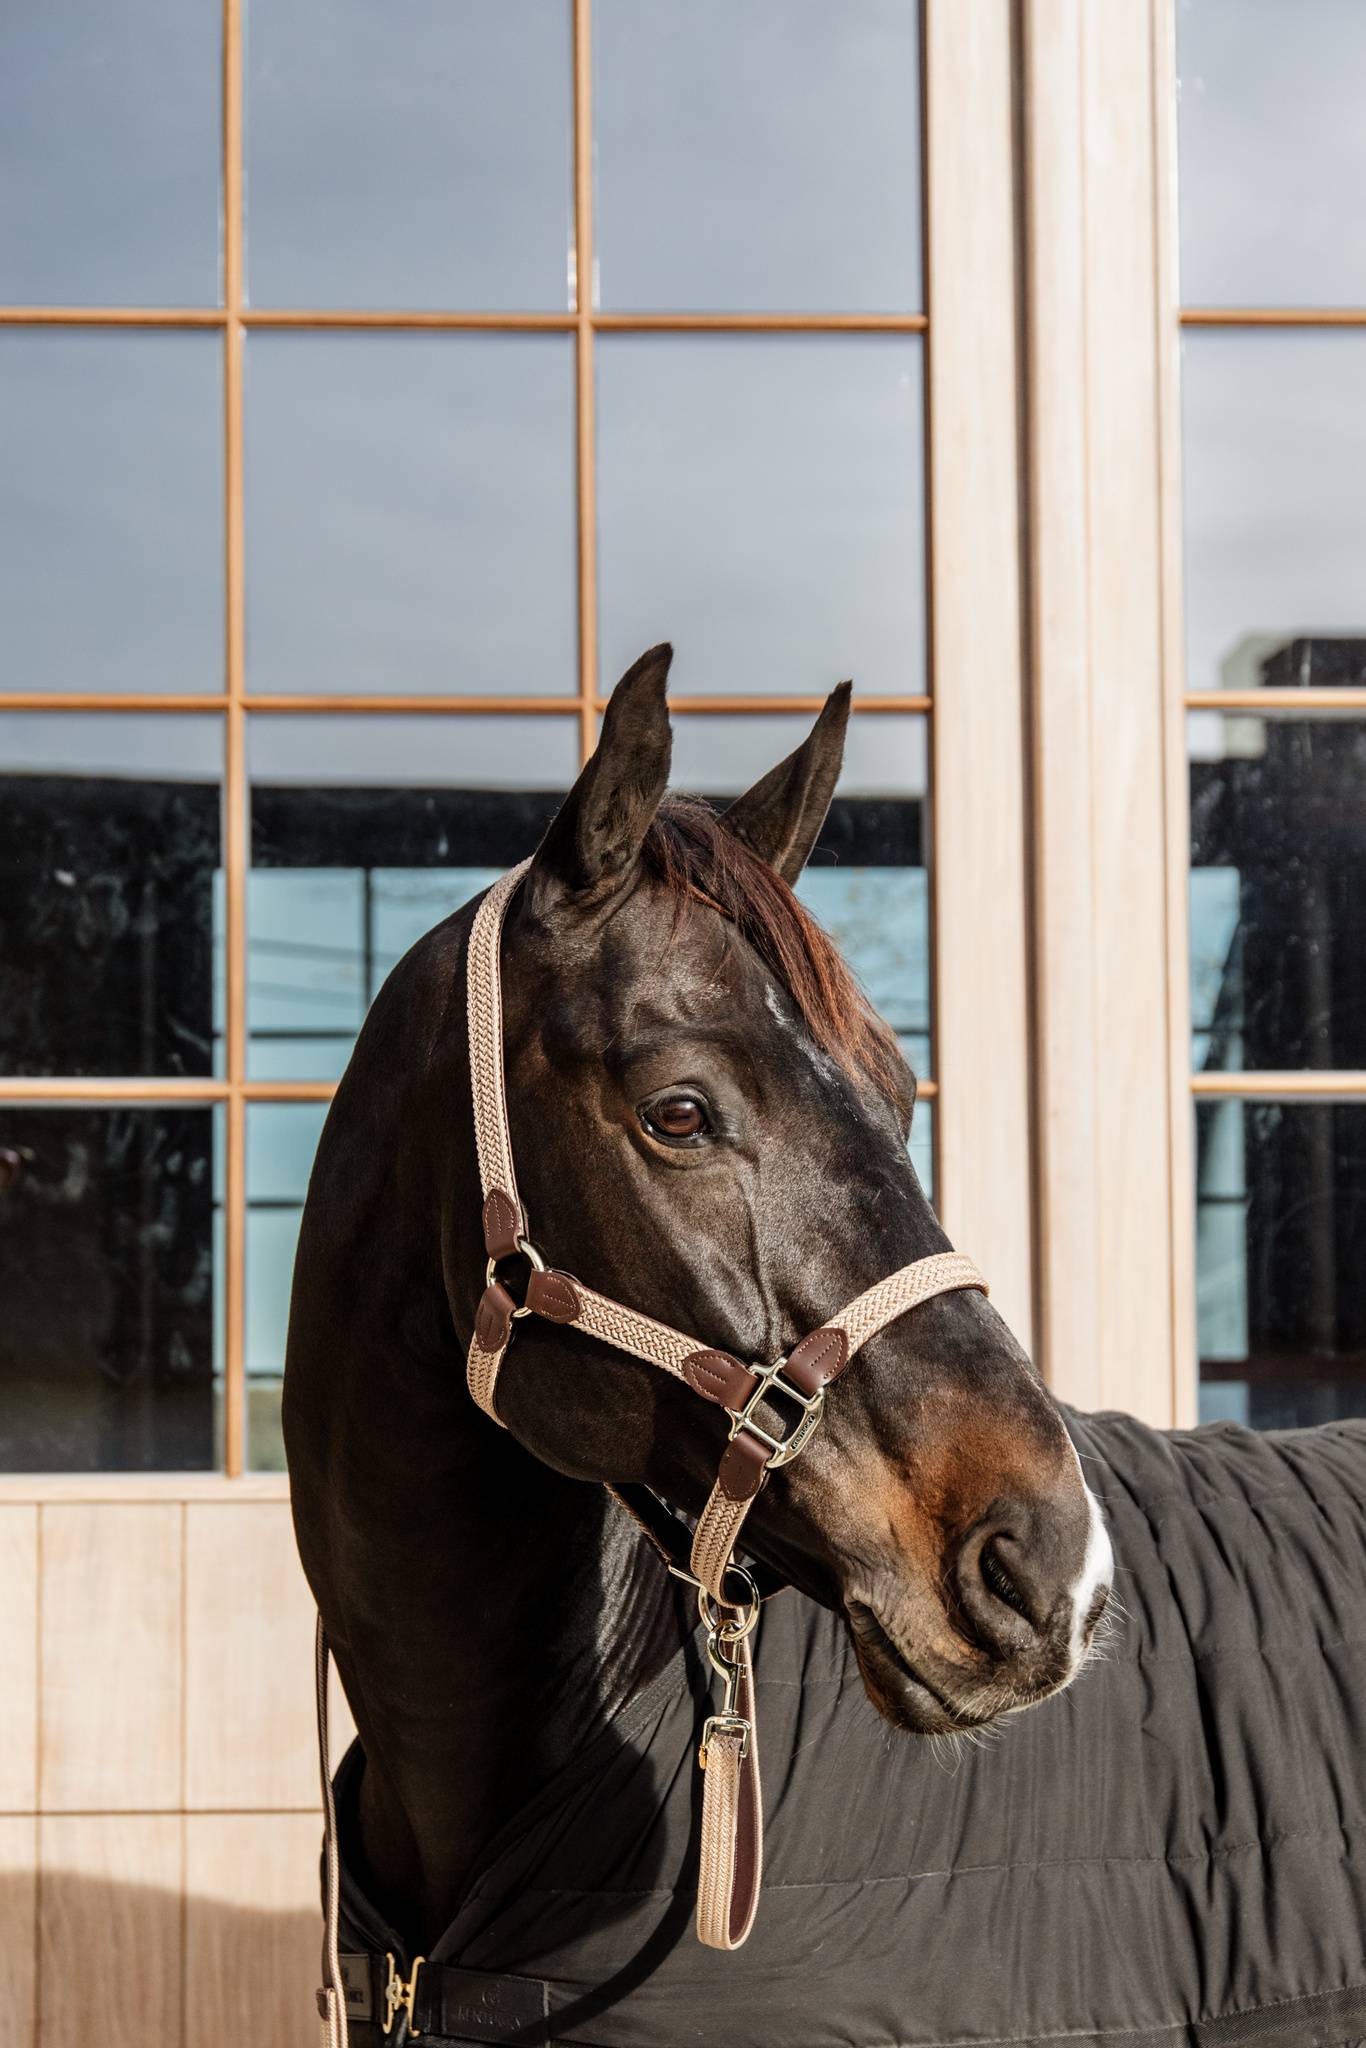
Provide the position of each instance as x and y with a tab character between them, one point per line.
1281	1226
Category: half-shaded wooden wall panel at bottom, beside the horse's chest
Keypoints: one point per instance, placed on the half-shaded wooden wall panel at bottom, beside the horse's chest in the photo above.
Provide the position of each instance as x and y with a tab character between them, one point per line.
253	1930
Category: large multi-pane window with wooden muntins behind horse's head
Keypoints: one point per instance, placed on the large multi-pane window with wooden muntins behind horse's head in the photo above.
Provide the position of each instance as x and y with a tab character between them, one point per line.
374	388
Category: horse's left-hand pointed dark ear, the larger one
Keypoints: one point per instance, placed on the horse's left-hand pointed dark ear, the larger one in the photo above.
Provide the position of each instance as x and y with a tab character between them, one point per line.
597	835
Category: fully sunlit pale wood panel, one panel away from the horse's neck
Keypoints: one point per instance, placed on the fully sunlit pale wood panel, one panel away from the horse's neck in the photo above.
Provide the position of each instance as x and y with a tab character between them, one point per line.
112	1658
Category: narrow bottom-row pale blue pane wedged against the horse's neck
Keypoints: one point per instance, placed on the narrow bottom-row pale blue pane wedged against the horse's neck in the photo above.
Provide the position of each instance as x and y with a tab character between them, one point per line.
282	1140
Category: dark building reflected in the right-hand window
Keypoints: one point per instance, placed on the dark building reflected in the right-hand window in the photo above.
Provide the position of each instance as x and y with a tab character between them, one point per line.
1289	816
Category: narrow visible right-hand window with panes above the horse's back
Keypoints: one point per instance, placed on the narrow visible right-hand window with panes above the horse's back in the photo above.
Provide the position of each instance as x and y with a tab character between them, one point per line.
1273	171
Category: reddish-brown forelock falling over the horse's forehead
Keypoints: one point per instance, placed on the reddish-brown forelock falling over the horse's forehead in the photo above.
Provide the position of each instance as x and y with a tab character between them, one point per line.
699	861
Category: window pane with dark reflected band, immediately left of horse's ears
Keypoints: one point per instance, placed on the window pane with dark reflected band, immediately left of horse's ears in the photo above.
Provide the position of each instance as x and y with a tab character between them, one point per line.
366	835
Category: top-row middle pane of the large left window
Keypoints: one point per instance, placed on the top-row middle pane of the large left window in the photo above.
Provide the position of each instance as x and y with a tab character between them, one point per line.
411	159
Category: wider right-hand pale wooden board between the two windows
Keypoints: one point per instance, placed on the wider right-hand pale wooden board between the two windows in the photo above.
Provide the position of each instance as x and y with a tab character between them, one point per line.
1103	695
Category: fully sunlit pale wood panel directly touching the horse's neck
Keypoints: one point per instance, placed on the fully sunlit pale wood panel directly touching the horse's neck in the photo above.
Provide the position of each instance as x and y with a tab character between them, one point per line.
251	1736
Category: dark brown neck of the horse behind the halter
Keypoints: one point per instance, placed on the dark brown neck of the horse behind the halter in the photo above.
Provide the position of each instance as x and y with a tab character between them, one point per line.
486	1613
